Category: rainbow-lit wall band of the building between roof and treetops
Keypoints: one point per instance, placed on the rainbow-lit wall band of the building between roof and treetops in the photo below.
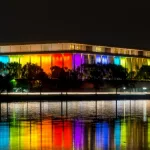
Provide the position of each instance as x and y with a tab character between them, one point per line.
74	60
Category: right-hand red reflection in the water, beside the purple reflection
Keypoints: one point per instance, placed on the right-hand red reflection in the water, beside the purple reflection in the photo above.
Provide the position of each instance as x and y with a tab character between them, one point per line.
68	140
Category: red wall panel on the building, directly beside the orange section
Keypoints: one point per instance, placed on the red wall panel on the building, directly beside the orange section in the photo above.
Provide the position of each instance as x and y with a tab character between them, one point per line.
57	60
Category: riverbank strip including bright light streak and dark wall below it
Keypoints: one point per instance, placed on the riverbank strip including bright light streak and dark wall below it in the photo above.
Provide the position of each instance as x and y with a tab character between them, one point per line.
72	96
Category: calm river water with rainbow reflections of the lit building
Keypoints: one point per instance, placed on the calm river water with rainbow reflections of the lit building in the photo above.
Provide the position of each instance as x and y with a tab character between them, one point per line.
85	125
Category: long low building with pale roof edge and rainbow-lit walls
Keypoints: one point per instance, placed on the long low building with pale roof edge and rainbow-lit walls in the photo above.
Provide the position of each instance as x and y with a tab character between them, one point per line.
72	55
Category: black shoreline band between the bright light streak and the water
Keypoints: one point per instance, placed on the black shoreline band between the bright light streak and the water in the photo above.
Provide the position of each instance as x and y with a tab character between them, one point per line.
73	97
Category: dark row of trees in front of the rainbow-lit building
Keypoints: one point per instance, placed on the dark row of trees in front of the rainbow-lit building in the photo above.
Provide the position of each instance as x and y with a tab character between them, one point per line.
33	78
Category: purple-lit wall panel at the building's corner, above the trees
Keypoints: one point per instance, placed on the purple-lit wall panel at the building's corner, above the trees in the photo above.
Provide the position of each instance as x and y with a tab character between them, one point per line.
77	60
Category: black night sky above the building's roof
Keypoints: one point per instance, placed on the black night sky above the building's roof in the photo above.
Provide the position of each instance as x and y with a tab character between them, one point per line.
110	23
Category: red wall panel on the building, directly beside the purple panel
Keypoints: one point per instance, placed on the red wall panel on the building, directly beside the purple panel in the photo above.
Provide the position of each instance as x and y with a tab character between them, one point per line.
67	61
